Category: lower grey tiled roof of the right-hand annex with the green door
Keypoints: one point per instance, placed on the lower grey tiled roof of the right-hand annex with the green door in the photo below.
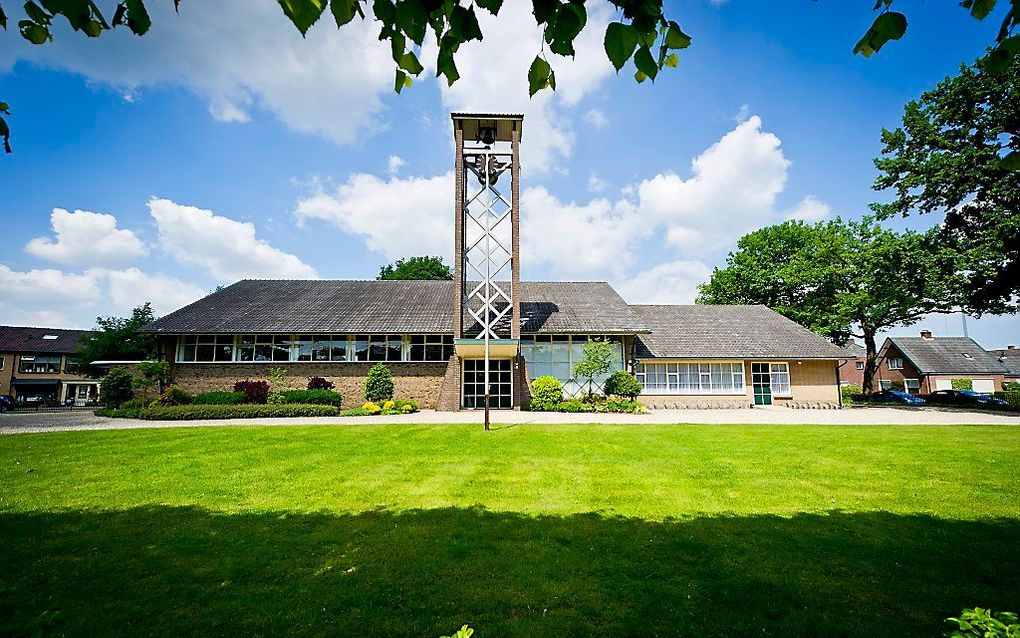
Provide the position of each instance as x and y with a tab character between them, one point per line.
729	332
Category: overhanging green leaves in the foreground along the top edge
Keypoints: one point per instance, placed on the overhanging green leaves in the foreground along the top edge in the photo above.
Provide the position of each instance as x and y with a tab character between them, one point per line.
643	34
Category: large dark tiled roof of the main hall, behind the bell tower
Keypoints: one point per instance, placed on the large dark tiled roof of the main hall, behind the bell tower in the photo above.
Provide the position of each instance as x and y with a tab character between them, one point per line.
389	307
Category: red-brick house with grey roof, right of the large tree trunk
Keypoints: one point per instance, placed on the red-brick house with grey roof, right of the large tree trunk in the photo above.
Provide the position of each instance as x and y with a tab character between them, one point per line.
927	364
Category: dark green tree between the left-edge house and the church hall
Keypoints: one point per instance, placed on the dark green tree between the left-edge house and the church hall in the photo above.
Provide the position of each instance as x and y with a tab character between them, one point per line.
118	339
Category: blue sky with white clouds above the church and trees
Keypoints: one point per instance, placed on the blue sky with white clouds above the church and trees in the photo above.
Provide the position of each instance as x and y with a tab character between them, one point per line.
200	155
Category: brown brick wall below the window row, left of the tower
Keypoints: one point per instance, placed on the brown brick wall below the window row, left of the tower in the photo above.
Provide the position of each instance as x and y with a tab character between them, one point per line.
418	381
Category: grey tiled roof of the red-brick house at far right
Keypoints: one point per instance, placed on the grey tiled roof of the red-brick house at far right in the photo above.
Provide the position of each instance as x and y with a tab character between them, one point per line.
946	356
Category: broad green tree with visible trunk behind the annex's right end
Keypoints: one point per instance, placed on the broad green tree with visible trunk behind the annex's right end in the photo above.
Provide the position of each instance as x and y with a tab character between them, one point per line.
841	279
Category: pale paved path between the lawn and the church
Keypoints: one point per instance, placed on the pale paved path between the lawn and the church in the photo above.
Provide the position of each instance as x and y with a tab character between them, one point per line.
43	422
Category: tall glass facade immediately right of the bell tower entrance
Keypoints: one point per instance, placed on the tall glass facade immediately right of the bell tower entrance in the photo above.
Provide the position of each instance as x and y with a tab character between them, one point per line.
556	356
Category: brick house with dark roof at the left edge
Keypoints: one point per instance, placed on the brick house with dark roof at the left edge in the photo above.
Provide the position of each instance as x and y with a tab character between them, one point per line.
36	369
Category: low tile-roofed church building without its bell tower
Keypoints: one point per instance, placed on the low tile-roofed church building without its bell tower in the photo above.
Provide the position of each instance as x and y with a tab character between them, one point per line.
683	355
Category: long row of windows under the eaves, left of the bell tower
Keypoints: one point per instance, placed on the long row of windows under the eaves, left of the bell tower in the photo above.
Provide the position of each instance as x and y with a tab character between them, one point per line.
214	349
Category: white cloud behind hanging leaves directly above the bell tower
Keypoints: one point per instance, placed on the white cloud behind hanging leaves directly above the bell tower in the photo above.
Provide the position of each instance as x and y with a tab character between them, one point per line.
494	75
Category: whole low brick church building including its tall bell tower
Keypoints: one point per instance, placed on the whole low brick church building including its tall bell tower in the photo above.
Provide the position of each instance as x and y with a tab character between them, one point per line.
451	345
